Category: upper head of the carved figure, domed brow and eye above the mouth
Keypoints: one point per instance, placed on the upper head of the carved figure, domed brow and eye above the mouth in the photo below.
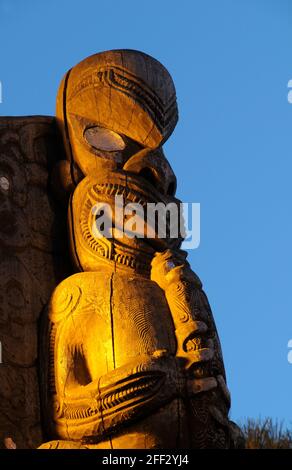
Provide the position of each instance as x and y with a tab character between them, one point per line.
113	104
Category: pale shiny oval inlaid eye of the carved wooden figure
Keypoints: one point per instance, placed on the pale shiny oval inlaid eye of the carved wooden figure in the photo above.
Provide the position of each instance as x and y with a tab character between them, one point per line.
104	139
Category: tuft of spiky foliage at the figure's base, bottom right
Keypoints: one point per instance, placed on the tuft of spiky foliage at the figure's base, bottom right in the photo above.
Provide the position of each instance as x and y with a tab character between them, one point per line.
266	434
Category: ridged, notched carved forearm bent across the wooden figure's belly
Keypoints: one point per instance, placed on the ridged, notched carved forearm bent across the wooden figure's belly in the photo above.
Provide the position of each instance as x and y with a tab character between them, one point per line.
120	396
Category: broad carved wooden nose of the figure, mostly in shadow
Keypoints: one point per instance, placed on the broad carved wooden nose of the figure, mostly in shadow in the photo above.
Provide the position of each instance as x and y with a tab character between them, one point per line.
154	168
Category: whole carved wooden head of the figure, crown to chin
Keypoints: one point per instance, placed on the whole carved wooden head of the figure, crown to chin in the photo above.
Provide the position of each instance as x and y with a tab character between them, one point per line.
115	110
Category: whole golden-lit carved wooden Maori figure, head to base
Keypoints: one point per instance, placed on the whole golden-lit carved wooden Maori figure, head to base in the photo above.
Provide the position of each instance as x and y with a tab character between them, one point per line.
130	353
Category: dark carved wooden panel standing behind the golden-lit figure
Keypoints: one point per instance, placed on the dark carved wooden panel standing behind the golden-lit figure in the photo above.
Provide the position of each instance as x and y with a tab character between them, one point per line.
32	235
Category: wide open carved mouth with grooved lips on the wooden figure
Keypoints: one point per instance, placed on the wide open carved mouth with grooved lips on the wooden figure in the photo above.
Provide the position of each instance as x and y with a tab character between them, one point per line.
135	251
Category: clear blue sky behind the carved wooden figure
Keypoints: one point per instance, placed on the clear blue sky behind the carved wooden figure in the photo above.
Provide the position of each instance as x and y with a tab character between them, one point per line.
232	149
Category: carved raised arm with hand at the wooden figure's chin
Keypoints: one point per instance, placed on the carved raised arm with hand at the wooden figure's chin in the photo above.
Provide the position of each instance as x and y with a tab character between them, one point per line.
198	345
